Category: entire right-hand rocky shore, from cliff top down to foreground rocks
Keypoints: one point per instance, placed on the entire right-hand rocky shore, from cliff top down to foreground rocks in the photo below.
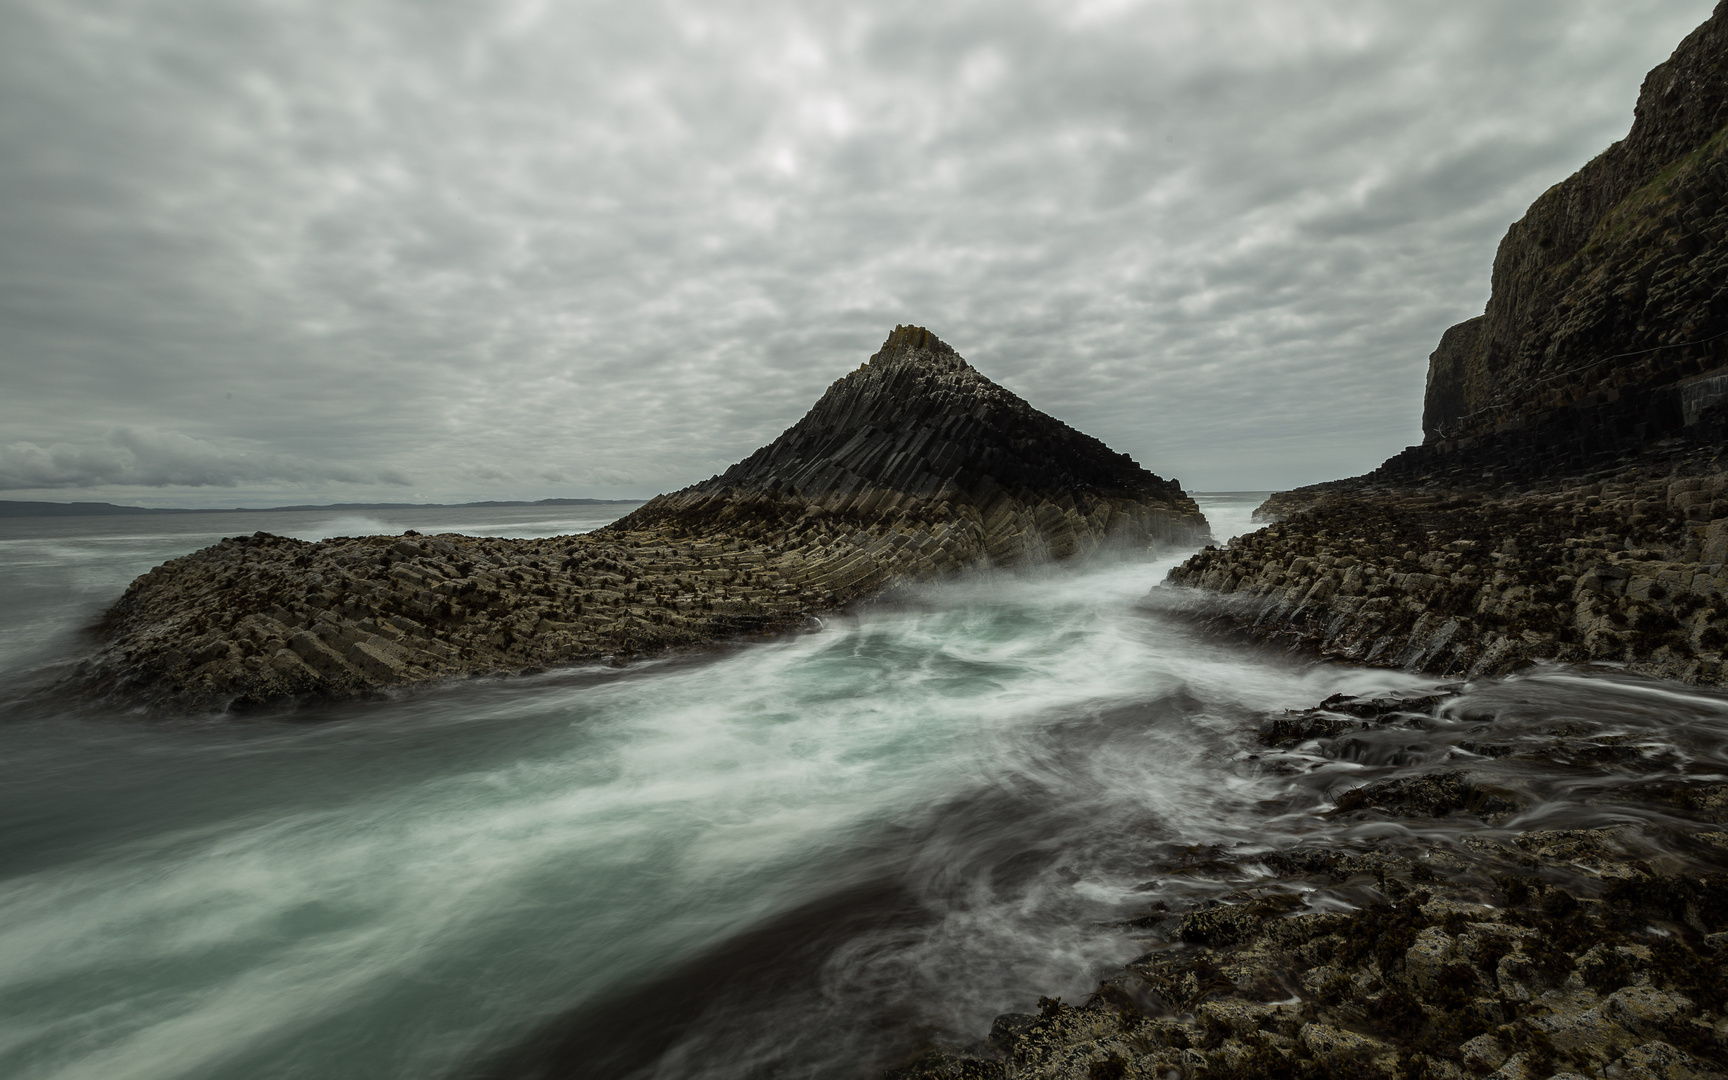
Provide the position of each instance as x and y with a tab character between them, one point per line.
1568	505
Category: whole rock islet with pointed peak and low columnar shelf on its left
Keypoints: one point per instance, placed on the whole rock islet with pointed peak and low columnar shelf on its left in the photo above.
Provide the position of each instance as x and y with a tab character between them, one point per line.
908	469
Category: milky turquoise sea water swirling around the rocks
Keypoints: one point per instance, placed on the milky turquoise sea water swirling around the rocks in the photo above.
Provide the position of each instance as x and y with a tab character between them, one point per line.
801	858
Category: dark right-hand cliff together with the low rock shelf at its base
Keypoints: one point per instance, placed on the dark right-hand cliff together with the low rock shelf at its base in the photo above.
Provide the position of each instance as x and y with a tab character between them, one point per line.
1566	500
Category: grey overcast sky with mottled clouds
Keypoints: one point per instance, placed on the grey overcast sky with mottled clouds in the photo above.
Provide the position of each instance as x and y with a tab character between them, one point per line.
298	251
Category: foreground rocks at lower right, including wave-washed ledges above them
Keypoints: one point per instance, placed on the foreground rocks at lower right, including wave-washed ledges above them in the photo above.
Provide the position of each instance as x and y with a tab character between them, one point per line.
1511	955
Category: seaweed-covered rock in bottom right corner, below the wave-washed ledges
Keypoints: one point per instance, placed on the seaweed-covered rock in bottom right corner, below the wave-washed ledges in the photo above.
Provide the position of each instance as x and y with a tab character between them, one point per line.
1541	981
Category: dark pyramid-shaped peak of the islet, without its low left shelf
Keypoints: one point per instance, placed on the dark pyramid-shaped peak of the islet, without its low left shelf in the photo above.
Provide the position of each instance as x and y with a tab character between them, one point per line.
917	435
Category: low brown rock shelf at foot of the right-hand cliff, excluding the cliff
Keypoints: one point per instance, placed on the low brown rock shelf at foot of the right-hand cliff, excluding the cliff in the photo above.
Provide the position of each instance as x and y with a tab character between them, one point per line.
1625	571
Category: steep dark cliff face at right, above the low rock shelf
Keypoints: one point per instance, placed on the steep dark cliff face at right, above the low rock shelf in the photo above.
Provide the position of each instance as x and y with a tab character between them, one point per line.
1608	293
